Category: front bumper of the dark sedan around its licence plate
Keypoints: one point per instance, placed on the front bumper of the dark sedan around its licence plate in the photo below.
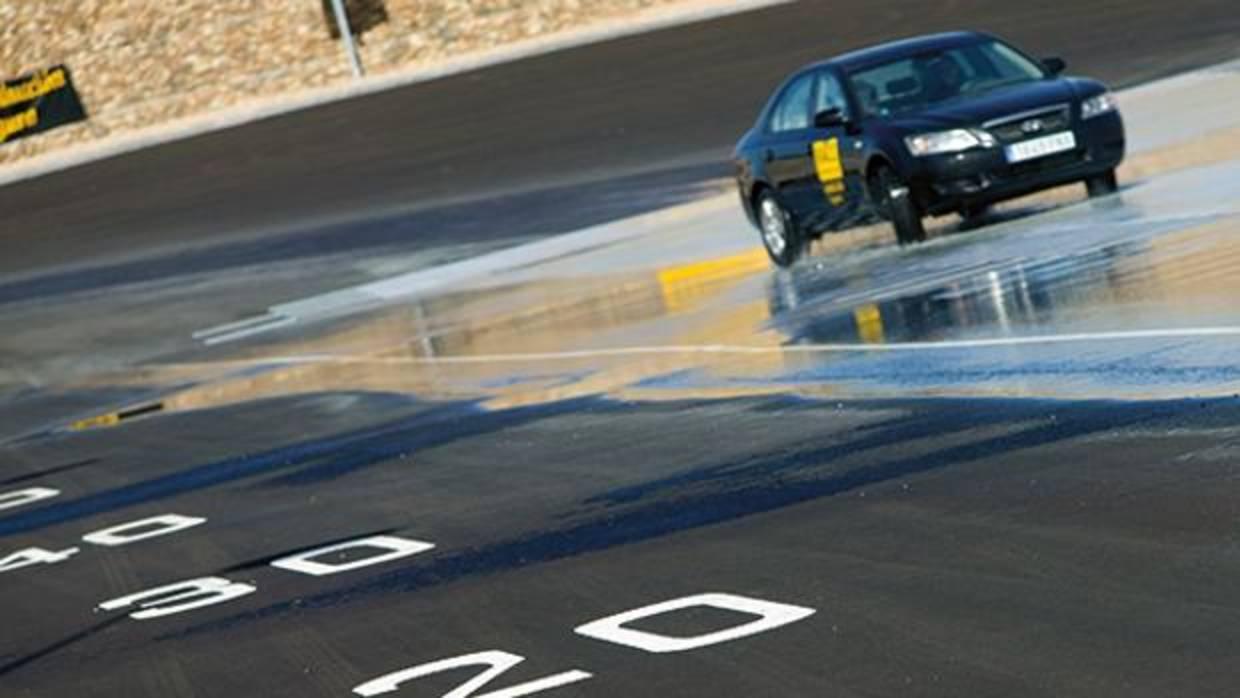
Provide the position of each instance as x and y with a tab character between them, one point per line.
950	183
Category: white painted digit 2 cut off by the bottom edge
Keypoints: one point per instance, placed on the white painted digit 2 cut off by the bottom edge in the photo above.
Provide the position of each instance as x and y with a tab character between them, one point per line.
495	660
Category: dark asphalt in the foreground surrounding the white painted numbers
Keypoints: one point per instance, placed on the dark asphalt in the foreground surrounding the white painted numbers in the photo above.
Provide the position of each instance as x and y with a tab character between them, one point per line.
948	547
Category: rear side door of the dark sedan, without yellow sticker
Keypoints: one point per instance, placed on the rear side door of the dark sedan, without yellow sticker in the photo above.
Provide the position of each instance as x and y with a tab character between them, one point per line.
787	153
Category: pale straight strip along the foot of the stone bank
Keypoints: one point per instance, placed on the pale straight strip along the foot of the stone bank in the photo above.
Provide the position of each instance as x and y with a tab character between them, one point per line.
257	111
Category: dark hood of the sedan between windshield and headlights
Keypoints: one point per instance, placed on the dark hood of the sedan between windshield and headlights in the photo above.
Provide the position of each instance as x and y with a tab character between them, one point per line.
991	106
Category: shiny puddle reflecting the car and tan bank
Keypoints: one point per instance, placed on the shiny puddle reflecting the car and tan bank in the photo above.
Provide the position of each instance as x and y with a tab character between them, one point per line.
732	327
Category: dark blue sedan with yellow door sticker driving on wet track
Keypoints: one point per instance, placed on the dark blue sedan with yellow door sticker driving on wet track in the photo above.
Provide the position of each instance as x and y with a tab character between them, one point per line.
941	125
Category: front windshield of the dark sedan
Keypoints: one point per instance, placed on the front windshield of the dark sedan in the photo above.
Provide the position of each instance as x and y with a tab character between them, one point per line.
937	77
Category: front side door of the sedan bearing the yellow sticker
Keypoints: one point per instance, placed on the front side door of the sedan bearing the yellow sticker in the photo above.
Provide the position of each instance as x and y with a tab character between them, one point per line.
839	154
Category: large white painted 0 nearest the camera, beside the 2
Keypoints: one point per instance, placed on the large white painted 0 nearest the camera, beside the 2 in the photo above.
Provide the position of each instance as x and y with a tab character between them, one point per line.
771	616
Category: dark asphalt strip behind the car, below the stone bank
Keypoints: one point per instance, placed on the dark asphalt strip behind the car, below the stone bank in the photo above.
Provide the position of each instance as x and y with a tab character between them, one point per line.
385	170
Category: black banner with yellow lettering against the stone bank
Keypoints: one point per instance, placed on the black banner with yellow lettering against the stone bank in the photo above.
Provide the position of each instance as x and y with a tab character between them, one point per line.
39	102
